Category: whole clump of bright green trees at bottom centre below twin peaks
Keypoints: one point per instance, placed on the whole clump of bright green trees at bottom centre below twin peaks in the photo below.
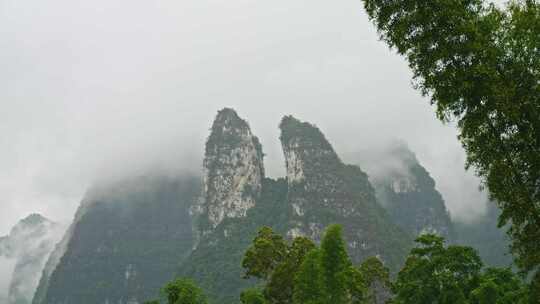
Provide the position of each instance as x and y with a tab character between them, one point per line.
301	272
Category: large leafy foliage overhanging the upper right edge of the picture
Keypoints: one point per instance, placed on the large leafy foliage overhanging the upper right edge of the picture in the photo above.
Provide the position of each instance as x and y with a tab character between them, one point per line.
481	67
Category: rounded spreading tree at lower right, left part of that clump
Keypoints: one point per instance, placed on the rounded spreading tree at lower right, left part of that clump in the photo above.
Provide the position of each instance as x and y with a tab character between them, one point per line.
434	273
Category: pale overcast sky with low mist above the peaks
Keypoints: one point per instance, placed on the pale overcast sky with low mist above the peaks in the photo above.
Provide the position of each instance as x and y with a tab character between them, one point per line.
92	89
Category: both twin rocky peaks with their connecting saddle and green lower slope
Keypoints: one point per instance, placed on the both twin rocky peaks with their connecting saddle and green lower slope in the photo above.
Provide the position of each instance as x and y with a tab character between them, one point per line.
318	190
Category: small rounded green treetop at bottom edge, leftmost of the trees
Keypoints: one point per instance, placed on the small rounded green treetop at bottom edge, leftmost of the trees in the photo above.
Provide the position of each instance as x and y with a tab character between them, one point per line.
183	291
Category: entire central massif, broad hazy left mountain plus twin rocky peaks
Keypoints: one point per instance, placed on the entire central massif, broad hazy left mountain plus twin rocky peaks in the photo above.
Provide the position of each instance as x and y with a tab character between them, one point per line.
128	238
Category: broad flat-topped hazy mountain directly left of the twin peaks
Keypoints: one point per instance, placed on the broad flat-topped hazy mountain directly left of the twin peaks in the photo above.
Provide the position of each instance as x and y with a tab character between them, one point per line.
125	242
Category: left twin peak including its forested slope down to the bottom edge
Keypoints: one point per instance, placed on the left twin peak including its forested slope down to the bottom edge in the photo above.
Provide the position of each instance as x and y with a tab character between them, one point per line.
235	203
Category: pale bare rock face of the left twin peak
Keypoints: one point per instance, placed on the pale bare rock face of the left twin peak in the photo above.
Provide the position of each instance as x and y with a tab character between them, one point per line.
233	170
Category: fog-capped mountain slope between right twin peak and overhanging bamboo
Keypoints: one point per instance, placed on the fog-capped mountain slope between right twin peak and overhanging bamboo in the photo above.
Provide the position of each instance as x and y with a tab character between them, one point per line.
407	191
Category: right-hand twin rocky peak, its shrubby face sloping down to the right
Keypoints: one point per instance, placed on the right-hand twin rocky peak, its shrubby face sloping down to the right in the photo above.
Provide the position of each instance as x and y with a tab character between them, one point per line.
323	190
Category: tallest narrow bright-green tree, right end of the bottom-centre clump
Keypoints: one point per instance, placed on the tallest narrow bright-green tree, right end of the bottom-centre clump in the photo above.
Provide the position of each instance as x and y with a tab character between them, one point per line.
336	264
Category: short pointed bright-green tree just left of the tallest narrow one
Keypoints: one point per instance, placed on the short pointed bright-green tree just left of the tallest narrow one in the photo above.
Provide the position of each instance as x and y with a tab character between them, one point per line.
309	287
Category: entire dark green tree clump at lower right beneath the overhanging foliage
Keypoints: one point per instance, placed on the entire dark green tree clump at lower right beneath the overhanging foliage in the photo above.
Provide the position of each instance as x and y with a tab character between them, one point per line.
435	273
